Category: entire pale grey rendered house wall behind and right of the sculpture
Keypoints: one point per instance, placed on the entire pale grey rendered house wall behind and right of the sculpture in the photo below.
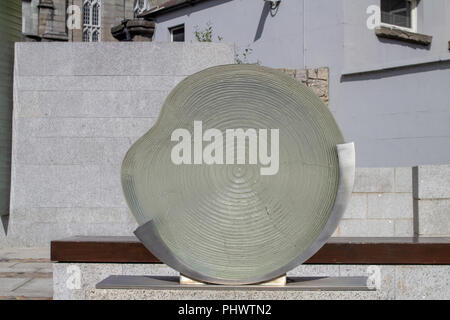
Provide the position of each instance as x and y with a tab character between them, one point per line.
397	117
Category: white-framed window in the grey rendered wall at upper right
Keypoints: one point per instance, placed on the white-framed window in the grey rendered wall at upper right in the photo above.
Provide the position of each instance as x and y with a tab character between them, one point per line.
401	14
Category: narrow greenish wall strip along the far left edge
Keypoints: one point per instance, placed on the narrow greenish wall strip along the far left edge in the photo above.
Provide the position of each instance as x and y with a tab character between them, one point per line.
10	31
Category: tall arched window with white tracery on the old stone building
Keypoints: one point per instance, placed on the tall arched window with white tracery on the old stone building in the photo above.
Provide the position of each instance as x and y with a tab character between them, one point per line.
91	20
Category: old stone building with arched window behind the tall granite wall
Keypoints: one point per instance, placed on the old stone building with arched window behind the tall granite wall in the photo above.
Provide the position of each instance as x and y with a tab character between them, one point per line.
77	20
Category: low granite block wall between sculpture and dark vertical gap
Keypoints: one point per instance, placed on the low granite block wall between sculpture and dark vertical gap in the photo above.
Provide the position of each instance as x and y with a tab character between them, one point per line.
381	204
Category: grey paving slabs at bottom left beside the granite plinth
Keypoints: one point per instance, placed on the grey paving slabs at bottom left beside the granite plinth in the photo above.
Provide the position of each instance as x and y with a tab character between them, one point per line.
25	274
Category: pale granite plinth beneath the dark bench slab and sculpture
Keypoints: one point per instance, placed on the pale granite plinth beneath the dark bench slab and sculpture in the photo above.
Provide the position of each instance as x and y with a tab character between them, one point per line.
396	282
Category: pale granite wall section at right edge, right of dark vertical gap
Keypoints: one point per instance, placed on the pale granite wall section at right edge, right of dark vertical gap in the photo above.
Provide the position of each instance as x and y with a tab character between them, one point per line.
432	200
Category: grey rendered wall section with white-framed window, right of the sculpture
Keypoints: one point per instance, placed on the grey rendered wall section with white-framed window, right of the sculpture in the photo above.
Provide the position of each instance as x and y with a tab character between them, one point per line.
397	117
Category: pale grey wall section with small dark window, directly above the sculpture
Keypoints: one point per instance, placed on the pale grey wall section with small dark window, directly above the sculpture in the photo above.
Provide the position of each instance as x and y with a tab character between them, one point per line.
276	41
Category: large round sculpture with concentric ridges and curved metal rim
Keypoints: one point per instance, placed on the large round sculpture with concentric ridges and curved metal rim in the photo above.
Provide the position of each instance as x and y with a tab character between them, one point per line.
228	223
